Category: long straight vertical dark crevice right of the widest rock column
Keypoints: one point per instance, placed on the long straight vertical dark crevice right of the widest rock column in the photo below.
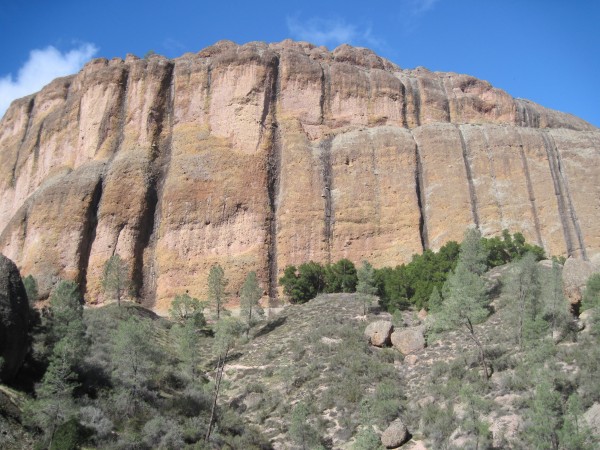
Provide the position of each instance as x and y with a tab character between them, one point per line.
273	176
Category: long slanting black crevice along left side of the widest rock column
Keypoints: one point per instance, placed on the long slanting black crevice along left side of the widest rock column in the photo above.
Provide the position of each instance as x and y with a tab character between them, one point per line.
161	123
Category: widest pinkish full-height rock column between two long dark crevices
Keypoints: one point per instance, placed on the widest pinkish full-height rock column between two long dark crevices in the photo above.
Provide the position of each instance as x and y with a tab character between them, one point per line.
216	207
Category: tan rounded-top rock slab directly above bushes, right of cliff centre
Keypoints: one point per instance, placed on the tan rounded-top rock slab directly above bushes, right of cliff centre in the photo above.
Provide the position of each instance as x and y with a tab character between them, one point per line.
374	196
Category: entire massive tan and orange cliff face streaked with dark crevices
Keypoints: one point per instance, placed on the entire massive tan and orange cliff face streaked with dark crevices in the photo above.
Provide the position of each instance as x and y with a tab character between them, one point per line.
264	155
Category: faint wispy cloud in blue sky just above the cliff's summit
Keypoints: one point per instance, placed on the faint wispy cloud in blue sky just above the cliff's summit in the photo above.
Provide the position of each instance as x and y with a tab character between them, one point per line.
332	32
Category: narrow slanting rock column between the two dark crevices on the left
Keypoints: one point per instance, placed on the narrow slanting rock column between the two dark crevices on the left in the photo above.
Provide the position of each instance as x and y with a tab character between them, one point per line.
129	197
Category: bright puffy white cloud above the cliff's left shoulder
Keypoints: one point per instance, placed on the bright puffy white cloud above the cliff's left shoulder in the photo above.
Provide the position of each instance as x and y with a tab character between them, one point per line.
43	66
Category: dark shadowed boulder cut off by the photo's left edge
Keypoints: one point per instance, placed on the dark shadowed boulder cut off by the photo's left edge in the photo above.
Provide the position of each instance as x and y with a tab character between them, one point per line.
14	319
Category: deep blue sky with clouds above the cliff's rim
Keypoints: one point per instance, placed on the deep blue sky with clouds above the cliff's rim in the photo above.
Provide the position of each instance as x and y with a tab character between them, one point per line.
547	51
